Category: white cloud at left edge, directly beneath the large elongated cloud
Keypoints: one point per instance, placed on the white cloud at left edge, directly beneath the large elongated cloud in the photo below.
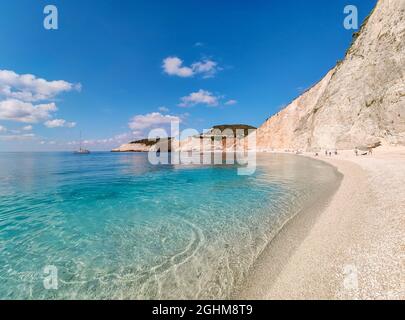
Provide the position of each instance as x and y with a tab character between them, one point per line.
17	110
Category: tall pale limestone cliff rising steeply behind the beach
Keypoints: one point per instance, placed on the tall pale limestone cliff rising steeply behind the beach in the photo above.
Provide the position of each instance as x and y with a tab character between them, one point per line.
359	102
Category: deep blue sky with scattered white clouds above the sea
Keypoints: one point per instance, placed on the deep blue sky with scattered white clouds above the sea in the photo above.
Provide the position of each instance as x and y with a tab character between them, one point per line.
127	66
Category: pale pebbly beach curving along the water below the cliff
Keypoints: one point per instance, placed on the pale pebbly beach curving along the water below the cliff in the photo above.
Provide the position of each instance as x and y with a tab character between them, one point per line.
351	246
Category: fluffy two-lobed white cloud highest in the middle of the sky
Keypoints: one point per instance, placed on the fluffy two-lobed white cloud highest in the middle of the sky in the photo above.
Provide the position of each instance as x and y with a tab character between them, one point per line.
174	66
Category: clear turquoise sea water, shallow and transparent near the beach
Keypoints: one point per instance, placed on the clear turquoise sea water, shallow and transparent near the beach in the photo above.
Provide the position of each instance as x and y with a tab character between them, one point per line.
118	228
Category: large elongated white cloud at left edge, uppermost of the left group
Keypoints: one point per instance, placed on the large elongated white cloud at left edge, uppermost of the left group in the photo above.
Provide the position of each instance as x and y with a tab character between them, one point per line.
29	88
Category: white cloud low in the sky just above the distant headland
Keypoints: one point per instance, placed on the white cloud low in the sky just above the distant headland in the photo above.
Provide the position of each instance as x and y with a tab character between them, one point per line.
140	123
